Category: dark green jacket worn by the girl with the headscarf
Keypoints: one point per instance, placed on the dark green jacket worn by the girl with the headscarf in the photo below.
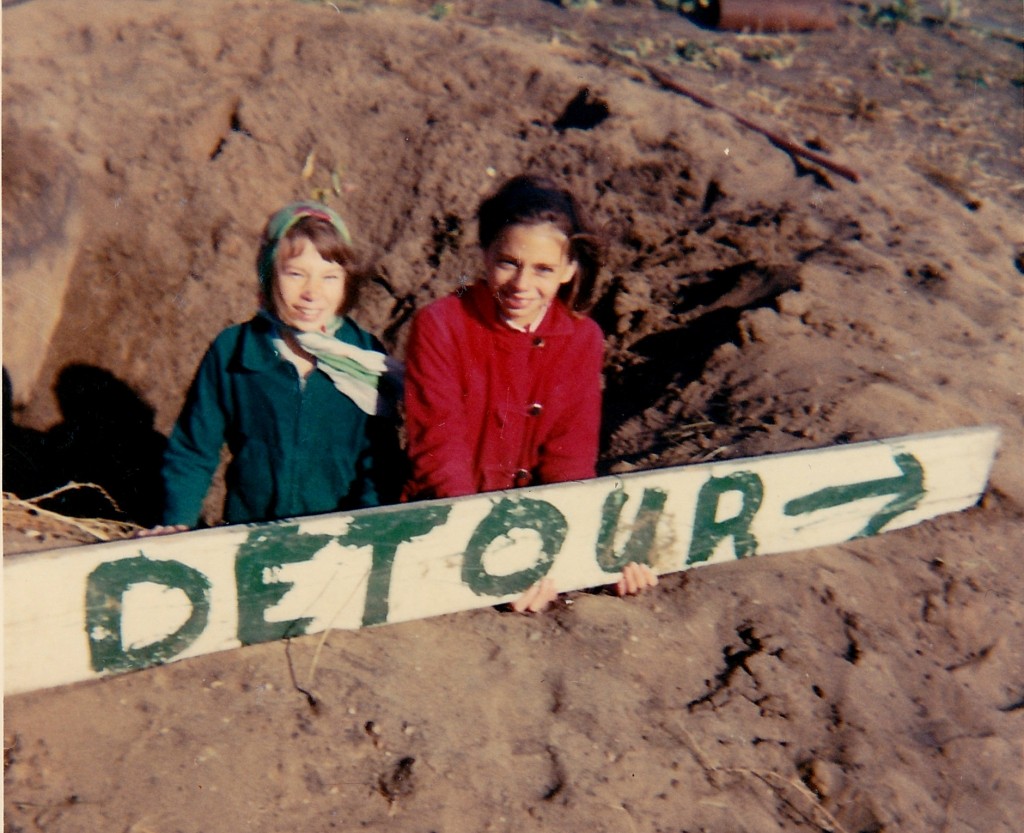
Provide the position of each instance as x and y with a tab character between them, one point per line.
295	450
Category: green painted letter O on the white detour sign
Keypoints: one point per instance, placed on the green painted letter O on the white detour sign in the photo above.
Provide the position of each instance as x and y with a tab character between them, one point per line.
506	516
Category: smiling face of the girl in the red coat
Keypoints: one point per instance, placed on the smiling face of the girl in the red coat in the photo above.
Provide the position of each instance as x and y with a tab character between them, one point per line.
526	267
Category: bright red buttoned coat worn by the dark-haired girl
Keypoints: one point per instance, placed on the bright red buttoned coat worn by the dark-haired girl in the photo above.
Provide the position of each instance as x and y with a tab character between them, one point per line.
491	408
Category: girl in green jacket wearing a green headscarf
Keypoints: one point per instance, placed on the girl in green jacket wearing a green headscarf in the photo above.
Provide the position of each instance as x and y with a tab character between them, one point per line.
302	396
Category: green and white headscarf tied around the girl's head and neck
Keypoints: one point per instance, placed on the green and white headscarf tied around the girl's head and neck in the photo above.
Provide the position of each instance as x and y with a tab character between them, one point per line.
373	381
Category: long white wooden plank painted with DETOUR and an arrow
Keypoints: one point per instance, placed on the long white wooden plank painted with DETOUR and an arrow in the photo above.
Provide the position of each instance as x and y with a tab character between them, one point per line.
83	613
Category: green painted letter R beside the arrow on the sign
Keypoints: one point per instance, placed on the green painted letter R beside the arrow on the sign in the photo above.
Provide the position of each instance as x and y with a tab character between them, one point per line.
708	531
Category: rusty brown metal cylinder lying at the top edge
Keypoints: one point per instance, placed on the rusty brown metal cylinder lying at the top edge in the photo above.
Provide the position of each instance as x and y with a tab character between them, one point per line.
765	16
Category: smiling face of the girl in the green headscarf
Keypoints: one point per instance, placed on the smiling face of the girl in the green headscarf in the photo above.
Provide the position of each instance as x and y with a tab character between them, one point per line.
309	290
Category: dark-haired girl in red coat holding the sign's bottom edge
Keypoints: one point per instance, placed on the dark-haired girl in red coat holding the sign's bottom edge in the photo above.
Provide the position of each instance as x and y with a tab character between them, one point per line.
503	385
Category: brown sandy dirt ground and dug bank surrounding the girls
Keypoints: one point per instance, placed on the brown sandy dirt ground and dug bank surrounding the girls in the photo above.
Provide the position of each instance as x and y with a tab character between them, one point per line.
752	304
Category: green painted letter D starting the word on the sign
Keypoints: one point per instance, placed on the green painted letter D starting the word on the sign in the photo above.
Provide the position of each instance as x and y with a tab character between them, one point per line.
104	602
